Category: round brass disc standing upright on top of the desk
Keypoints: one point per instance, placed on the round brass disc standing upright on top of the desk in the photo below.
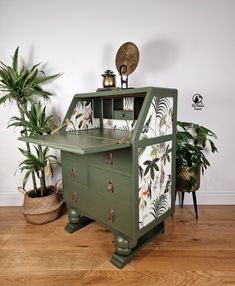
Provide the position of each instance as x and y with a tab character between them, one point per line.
127	55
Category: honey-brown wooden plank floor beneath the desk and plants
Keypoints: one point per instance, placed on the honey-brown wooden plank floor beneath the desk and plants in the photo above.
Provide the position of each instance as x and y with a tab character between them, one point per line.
190	252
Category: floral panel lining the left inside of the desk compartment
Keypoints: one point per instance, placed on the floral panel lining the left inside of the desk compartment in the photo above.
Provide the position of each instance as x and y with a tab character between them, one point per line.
82	117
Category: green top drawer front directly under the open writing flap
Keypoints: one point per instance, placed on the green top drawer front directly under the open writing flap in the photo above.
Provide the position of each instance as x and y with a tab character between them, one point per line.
117	160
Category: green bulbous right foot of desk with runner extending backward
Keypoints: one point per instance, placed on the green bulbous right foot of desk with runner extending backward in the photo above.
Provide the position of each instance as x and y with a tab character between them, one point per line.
124	249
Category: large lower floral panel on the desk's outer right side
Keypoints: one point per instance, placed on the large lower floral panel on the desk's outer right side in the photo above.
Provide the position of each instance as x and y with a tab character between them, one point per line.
154	167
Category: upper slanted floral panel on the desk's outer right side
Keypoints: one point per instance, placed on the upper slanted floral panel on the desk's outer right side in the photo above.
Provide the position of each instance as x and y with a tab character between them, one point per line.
159	118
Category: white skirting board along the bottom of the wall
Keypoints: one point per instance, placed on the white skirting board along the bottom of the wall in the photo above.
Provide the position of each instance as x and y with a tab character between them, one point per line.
203	198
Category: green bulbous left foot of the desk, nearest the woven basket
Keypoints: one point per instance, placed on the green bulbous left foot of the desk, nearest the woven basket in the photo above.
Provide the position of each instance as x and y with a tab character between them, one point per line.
76	221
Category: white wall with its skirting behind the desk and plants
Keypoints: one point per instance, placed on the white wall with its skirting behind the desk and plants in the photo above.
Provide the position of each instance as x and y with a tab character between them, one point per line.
186	44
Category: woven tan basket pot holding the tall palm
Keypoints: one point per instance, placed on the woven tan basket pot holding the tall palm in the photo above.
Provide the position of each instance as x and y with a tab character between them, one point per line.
40	210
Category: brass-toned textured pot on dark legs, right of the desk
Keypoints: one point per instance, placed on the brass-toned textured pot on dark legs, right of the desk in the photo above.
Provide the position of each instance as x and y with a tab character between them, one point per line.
183	176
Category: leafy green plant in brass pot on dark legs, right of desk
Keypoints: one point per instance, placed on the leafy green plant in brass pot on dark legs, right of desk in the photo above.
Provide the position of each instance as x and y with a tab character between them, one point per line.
192	142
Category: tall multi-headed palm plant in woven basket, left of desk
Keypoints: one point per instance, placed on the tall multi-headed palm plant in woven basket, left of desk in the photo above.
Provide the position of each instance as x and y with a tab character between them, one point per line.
23	87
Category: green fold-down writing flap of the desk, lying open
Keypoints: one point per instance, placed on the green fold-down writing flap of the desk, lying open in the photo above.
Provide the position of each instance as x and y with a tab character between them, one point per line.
83	142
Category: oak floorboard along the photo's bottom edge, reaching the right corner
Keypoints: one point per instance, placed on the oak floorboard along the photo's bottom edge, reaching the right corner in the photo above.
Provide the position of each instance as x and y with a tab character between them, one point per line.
158	278
